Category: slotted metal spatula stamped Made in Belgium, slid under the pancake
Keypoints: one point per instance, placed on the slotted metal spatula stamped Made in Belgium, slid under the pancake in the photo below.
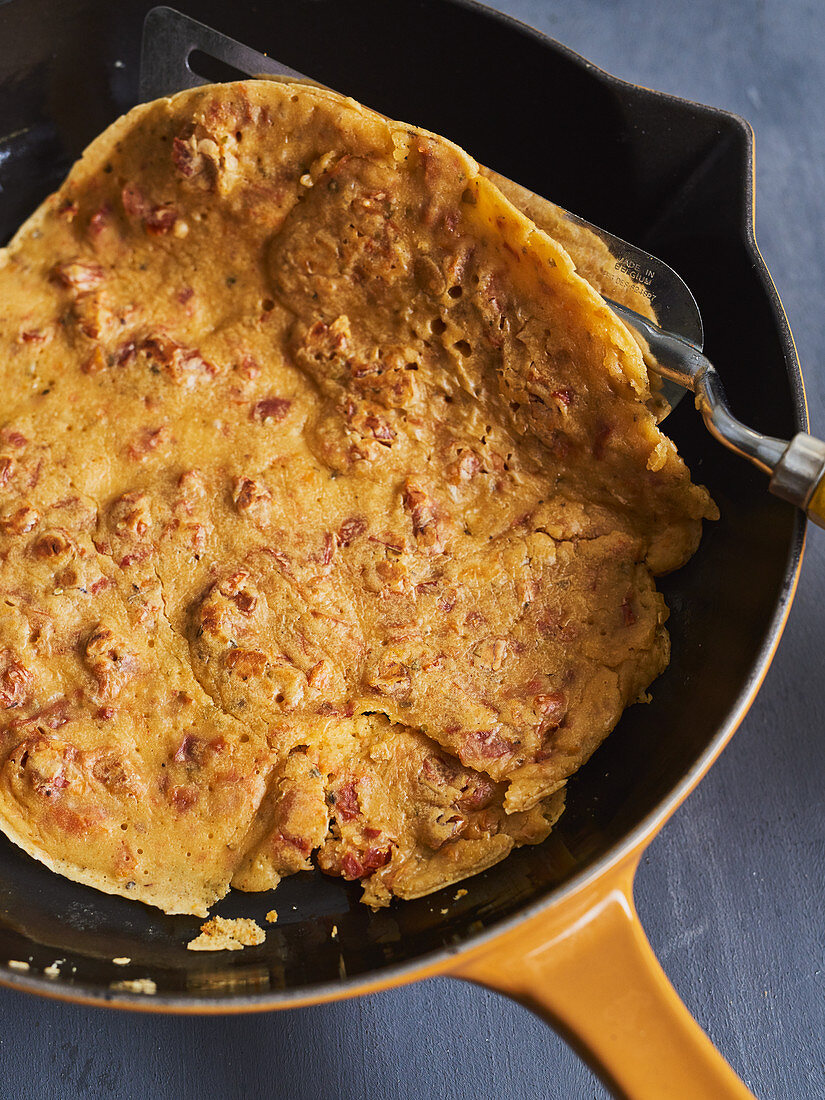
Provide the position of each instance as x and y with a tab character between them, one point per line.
173	43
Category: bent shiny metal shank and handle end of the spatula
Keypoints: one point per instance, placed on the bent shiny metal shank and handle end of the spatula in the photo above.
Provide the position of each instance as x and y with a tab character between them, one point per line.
797	468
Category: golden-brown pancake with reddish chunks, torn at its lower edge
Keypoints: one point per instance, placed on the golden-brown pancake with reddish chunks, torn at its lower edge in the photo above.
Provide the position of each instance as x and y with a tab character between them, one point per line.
331	509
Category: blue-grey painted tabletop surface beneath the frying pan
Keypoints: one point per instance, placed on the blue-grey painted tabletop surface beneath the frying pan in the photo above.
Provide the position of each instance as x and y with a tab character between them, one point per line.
732	893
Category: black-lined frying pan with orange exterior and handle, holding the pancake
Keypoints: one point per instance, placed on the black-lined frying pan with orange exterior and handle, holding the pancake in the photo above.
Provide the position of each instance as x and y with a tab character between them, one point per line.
554	927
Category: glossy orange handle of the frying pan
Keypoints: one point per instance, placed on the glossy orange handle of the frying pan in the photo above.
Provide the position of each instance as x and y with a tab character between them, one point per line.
593	976
